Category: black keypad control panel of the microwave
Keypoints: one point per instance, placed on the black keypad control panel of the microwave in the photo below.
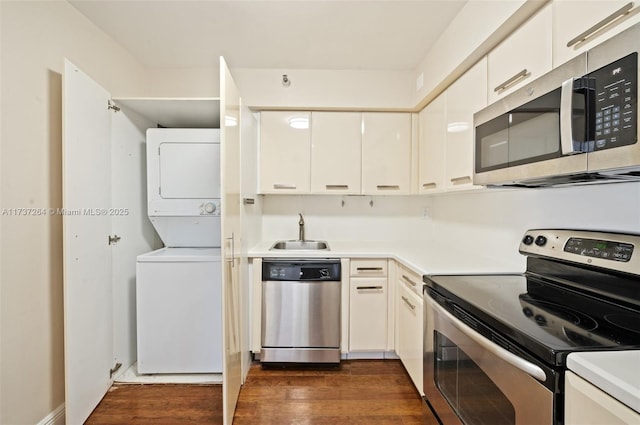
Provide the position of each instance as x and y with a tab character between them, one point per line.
616	103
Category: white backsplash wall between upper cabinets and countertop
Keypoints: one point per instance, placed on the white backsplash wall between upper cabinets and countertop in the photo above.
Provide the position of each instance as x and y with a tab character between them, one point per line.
492	220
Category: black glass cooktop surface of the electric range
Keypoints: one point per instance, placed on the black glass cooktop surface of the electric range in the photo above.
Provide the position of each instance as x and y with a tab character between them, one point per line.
547	319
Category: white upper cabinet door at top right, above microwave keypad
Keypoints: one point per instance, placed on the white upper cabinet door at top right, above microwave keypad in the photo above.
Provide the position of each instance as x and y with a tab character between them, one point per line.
578	26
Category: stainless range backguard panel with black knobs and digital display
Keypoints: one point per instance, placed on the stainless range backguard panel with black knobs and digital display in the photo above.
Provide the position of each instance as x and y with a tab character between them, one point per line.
613	251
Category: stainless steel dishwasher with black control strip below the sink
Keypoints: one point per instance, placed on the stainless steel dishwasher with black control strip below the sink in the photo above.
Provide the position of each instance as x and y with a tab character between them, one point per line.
300	311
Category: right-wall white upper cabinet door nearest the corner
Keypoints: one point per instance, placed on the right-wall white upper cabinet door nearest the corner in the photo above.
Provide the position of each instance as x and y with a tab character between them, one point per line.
432	125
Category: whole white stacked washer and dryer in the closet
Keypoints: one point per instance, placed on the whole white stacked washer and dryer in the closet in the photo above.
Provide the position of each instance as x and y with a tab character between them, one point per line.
178	288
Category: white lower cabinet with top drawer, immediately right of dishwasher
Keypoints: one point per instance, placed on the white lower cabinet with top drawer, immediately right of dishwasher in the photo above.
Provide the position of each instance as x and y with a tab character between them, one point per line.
368	306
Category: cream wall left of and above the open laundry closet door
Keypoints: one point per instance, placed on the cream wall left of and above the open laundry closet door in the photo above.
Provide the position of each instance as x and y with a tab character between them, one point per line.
35	37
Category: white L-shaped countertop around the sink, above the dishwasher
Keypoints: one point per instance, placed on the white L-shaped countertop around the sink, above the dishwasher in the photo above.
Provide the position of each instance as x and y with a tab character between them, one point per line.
424	257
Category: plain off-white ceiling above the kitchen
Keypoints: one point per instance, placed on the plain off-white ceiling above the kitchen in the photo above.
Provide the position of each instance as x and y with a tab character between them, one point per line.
295	34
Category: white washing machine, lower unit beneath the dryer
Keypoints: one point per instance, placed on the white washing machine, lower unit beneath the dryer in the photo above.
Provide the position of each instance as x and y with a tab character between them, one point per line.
179	311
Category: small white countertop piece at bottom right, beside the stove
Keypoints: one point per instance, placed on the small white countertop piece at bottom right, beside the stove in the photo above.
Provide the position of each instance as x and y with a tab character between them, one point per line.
615	372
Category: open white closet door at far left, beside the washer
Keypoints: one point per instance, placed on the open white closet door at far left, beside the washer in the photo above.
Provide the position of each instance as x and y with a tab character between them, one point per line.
88	308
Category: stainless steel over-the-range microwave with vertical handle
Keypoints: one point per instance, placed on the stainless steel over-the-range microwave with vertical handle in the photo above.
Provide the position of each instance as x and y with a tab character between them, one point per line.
574	125
